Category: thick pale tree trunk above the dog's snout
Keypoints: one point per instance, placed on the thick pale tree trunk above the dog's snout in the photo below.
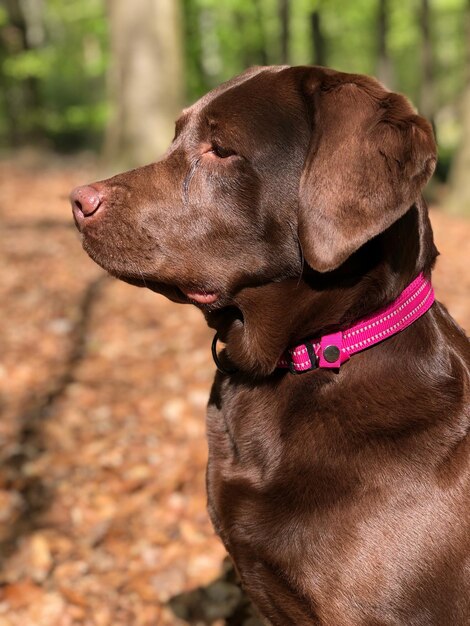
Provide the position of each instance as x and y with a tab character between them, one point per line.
146	79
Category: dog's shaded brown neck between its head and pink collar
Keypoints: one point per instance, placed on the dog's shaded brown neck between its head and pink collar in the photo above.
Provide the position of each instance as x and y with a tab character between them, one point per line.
270	318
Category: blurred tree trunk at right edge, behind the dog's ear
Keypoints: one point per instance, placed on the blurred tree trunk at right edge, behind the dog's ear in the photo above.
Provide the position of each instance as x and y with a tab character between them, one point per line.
459	197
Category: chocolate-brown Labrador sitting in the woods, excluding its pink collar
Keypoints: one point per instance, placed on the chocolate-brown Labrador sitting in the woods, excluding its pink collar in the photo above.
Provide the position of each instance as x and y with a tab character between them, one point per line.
289	205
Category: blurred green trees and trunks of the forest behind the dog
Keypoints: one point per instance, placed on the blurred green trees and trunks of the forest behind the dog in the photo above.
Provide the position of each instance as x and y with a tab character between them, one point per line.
90	74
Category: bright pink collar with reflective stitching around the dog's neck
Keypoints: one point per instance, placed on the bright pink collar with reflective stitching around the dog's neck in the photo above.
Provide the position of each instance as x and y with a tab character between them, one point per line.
331	351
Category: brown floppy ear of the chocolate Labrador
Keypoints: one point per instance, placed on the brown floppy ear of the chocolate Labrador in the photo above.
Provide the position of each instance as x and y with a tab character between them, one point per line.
369	157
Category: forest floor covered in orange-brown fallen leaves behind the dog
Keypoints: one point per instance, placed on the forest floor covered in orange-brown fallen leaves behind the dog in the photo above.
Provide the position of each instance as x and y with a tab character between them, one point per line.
103	389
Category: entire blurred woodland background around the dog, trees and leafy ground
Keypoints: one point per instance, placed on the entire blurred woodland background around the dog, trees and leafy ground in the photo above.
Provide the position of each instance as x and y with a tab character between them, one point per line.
103	386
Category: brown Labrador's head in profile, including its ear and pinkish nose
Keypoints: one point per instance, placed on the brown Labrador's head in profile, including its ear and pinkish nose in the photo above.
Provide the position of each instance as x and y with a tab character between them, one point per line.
276	167
